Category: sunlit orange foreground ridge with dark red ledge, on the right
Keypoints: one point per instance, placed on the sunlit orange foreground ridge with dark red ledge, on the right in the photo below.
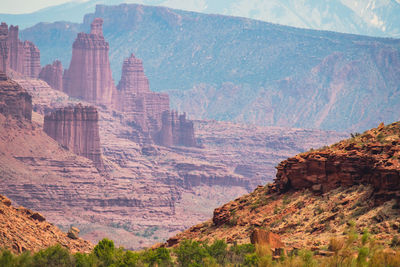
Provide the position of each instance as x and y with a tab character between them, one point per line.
316	195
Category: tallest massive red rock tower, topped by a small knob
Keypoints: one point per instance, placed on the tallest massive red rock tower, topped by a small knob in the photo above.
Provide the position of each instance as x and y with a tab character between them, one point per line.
89	75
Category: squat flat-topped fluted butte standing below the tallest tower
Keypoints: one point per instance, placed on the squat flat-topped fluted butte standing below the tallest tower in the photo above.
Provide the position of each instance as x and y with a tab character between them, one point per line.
77	129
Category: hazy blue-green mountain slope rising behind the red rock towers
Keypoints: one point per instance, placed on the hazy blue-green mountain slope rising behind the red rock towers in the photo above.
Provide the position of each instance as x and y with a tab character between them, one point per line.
228	68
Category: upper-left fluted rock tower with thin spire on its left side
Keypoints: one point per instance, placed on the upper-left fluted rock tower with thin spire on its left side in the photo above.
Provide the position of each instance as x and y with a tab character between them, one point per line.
24	57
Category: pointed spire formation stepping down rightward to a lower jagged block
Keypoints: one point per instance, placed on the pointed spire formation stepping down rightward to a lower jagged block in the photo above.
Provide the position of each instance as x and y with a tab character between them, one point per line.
149	110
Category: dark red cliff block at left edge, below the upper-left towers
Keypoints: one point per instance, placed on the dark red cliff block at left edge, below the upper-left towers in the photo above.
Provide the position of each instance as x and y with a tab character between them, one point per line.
14	100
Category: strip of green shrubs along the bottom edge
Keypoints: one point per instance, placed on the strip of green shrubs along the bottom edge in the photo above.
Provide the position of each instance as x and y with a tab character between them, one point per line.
346	251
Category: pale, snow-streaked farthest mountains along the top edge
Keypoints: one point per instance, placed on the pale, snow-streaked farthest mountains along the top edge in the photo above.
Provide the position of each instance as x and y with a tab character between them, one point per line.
370	17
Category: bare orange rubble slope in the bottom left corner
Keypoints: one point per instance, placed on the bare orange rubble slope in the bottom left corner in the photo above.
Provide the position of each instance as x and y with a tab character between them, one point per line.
22	229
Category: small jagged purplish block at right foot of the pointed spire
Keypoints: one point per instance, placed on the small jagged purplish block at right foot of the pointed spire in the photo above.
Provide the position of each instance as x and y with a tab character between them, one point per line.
176	130
